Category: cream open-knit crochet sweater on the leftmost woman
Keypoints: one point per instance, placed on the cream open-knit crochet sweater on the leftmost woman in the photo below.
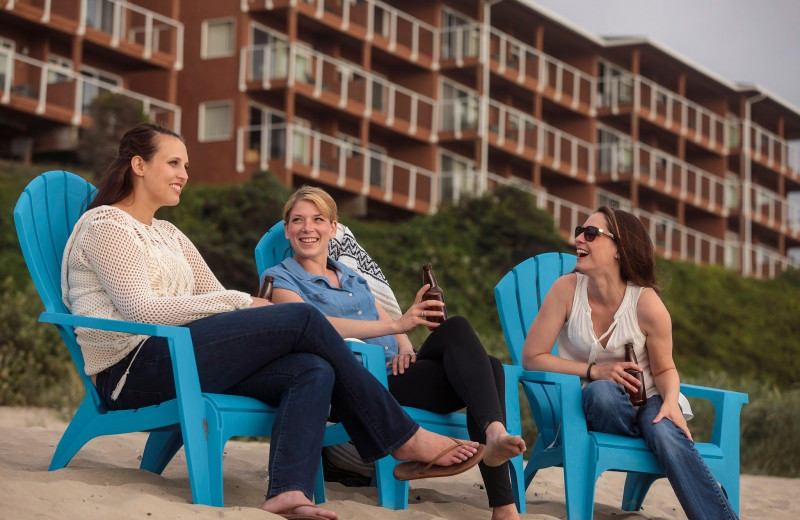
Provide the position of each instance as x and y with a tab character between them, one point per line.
119	268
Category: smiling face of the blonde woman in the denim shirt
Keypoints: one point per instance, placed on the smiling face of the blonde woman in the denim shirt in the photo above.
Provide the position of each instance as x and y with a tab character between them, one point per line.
309	231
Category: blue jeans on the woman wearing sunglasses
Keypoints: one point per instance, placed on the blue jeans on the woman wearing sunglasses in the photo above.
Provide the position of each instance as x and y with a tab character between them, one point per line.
608	409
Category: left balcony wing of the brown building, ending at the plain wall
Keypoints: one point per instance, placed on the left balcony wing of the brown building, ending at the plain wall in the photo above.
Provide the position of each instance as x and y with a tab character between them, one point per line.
57	56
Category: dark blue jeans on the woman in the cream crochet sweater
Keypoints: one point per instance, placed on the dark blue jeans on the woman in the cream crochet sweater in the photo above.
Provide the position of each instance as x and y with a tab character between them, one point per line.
288	356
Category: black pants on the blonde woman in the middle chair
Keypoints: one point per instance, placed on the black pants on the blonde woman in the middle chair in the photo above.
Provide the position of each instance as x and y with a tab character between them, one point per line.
452	371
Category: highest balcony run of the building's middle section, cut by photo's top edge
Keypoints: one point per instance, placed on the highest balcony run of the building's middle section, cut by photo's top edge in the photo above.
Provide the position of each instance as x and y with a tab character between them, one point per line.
387	27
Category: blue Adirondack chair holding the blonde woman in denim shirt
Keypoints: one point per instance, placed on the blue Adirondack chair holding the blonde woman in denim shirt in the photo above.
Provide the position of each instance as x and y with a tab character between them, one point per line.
393	494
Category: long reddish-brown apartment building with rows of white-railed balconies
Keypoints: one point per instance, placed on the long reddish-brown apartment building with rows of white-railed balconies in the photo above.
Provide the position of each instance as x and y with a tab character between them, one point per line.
399	107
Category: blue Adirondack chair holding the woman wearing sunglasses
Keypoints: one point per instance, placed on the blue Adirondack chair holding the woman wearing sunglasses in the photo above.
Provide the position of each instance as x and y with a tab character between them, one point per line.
555	401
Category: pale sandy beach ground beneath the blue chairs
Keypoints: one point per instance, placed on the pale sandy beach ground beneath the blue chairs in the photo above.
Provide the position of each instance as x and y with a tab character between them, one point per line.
103	481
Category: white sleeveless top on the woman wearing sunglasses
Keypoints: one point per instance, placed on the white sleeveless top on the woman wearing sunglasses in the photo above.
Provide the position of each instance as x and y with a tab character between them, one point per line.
578	342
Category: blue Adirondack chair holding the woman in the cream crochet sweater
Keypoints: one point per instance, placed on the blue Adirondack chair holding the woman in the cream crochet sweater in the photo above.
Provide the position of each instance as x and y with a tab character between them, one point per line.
44	217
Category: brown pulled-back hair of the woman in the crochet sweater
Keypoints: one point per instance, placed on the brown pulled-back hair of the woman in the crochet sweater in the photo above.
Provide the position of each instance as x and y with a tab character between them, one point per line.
117	181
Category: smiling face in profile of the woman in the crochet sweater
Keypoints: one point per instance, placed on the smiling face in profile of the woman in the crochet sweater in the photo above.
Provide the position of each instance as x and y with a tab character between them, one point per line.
164	175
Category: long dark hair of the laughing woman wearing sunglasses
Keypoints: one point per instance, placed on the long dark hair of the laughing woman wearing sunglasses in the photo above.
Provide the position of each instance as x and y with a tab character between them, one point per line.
637	254
